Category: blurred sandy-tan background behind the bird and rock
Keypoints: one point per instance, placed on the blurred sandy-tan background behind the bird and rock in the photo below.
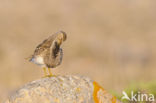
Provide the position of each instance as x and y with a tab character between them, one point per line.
111	41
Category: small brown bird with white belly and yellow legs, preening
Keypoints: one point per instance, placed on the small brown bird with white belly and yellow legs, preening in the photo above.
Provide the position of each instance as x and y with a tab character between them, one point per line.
49	53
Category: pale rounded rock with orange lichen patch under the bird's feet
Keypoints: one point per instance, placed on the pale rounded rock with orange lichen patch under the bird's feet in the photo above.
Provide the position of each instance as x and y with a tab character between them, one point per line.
62	89
